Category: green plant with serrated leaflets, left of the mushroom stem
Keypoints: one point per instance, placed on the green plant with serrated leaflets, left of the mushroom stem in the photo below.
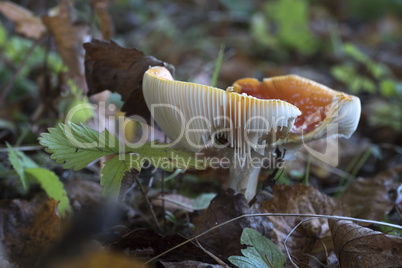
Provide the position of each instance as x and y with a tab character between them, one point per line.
75	146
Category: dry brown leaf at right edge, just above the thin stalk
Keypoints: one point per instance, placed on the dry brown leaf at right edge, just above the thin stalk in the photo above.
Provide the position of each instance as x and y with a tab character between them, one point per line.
373	198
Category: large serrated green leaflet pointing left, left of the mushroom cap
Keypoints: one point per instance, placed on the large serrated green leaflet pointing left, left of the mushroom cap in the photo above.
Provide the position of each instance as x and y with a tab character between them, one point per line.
76	146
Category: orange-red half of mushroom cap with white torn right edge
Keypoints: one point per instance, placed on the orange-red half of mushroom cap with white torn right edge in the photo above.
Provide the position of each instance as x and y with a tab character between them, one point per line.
325	112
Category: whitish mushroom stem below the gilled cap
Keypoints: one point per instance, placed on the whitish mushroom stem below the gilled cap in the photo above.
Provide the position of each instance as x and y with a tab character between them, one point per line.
244	177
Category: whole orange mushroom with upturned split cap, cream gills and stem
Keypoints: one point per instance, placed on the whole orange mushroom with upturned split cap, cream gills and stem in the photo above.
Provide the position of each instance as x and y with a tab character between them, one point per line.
252	117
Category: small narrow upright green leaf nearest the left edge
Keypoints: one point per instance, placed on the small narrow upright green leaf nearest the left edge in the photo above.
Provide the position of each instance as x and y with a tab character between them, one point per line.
19	162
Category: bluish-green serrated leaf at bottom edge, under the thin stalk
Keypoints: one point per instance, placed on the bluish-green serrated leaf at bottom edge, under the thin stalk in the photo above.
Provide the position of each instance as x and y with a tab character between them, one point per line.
260	250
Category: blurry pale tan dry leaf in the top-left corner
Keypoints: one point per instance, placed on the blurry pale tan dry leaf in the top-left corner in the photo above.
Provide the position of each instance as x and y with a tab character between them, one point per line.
26	23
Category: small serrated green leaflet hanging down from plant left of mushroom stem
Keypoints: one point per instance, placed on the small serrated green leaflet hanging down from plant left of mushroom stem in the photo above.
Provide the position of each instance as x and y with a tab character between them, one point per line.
112	175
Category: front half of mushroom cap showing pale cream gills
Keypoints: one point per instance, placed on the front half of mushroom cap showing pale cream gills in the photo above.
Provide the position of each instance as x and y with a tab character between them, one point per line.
191	114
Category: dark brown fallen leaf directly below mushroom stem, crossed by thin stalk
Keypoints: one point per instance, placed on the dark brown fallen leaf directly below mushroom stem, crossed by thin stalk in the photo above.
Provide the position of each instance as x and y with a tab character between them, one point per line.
224	241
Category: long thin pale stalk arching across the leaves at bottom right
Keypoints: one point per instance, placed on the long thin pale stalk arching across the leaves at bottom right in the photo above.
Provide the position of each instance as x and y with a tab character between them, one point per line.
273	215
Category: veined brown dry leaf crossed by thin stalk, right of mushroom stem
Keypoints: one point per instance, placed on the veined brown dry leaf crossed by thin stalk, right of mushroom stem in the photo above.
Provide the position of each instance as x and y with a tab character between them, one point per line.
302	199
